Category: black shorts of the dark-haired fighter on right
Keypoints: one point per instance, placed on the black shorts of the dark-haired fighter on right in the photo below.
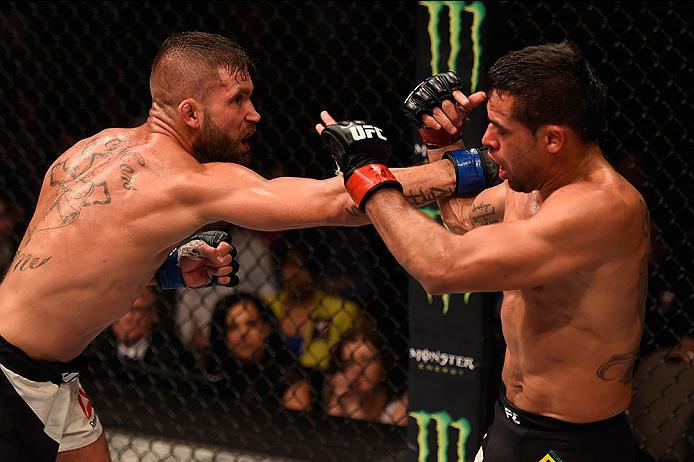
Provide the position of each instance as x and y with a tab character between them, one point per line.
519	436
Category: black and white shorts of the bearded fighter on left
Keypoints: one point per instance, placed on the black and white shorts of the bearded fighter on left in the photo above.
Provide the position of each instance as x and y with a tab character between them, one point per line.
43	408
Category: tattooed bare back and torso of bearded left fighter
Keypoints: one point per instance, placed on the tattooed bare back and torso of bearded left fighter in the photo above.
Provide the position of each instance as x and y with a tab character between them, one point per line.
103	224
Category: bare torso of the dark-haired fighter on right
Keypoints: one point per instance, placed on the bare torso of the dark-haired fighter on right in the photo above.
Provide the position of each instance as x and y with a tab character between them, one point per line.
572	342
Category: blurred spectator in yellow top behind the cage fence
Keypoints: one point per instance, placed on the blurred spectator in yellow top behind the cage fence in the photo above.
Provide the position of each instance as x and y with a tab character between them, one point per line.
311	321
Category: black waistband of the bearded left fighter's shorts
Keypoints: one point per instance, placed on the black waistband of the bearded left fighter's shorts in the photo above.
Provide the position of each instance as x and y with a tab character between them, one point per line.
16	360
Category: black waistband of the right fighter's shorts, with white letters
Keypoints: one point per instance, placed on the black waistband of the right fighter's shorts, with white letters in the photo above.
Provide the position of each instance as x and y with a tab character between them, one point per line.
544	423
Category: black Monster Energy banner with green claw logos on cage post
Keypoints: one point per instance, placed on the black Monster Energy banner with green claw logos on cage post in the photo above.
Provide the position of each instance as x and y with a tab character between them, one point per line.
449	334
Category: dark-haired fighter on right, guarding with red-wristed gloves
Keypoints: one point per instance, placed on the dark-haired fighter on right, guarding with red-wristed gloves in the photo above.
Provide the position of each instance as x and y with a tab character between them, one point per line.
565	237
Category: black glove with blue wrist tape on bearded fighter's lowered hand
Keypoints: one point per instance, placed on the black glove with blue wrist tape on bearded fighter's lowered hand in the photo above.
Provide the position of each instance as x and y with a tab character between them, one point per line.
169	275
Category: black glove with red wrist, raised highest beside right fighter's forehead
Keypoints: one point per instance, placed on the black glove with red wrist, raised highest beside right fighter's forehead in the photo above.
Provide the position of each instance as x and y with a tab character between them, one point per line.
424	98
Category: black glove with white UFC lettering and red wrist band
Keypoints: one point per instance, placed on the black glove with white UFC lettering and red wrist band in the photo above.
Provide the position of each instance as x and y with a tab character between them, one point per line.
360	151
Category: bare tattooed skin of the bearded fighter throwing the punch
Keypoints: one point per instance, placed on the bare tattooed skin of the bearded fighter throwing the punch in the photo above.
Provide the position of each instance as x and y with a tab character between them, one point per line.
113	205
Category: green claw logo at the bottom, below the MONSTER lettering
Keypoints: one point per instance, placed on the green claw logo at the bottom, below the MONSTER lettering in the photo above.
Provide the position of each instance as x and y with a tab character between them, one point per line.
443	425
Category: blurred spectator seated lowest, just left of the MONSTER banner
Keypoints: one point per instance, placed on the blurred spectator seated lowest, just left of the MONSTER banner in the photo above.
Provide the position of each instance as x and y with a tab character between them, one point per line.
357	387
